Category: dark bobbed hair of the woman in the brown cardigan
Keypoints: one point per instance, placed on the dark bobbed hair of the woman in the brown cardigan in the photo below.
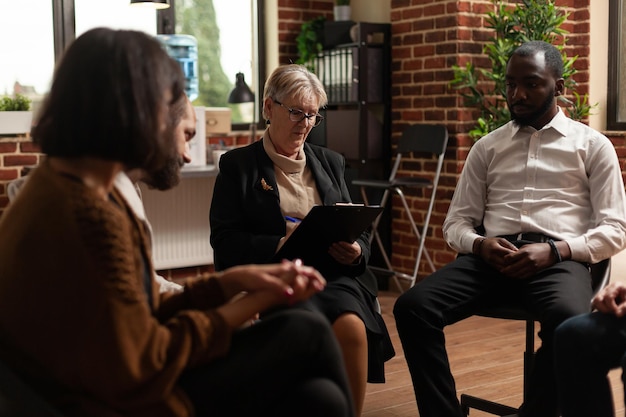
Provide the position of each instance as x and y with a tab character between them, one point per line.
109	99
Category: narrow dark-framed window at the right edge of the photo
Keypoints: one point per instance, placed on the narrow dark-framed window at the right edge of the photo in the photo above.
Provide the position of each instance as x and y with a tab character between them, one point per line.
616	94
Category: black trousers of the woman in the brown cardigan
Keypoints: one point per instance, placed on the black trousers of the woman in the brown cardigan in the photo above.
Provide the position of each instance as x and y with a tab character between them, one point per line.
288	364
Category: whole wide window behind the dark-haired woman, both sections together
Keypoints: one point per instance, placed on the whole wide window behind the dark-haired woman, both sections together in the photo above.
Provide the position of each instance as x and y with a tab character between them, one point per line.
28	59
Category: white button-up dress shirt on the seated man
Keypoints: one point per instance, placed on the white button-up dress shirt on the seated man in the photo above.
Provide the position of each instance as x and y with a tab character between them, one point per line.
563	181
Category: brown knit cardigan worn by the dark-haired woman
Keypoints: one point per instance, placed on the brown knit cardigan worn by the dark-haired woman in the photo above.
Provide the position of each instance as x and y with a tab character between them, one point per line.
75	320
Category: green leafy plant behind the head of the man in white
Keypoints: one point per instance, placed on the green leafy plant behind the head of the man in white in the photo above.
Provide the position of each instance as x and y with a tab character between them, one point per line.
514	24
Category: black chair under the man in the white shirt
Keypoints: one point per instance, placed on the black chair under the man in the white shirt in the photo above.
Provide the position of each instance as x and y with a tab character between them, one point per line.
600	276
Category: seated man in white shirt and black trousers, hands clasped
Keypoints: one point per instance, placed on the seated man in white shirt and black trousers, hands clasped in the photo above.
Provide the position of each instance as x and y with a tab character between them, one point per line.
539	199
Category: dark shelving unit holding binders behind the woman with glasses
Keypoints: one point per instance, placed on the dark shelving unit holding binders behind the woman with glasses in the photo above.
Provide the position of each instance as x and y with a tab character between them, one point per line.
357	124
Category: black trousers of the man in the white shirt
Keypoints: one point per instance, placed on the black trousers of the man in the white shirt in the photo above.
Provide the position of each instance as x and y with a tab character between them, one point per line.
454	293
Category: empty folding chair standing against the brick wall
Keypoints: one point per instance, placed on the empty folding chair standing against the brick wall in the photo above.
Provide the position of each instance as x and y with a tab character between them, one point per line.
431	139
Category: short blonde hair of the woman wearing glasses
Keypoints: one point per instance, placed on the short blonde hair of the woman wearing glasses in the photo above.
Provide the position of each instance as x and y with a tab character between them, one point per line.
294	80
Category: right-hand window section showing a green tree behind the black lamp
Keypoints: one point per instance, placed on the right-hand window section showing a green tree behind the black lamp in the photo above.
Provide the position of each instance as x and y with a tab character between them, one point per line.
230	40
